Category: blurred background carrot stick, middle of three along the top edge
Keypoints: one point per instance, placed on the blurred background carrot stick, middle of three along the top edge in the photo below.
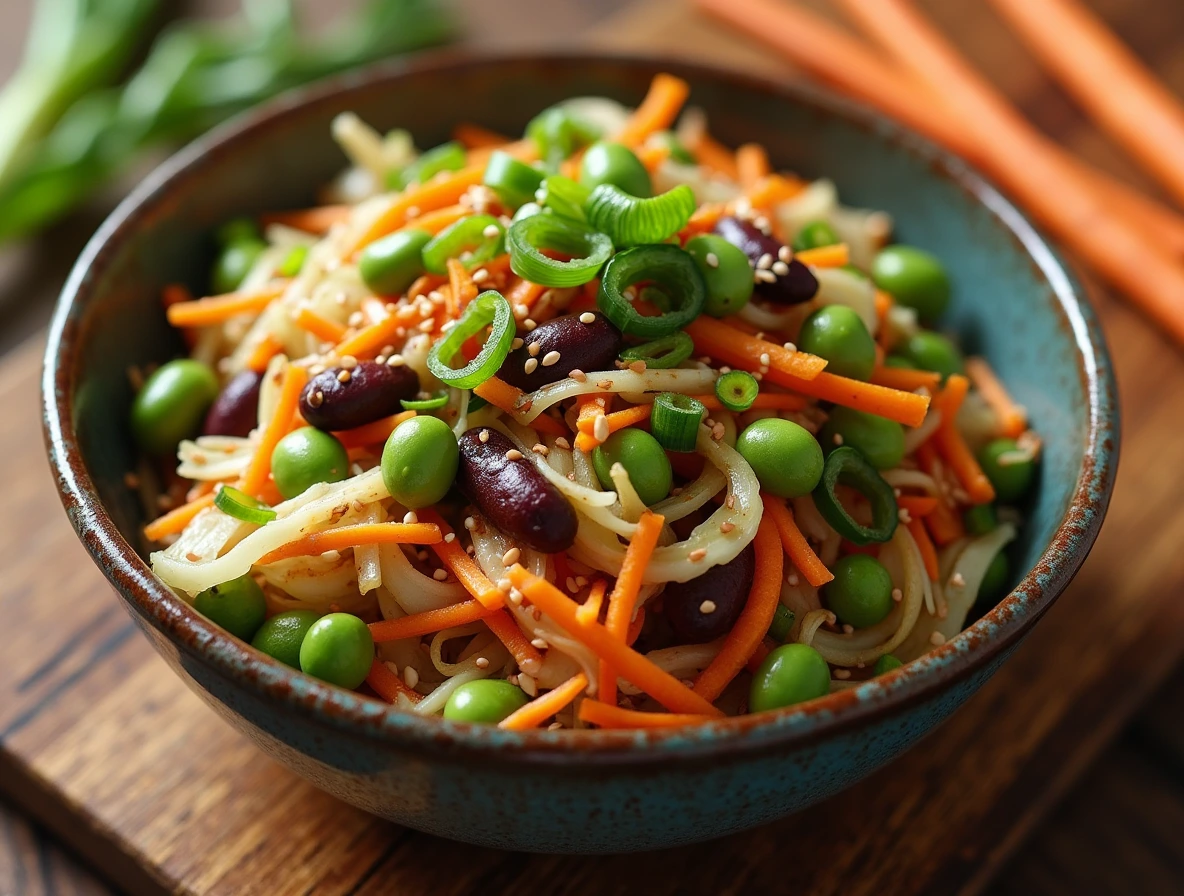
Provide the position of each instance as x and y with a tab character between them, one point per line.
1018	157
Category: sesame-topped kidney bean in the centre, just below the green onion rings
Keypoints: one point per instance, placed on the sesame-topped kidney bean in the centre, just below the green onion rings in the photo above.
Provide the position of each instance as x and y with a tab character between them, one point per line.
591	346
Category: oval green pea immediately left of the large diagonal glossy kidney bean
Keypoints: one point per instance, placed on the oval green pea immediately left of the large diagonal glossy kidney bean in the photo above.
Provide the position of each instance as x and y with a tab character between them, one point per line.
420	461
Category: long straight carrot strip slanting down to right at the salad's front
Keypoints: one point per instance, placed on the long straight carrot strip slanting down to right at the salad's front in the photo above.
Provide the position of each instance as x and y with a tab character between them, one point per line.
632	666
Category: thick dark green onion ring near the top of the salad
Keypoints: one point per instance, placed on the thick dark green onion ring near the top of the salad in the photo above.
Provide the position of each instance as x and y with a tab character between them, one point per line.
668	268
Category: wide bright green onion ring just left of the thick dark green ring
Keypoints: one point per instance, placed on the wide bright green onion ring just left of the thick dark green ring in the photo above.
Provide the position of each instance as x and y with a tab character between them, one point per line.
588	248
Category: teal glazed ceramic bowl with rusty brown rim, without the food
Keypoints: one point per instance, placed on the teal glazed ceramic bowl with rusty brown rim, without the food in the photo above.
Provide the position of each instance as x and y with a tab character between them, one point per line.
1014	302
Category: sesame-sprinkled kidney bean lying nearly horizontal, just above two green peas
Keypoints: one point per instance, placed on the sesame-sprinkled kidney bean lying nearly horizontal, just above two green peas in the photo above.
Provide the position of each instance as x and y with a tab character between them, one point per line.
334	402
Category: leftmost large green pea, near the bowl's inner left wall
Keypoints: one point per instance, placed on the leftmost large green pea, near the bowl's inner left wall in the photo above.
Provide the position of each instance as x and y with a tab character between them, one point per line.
172	404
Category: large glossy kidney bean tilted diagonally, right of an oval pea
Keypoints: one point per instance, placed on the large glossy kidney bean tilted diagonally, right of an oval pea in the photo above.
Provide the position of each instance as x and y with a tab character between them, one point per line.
512	494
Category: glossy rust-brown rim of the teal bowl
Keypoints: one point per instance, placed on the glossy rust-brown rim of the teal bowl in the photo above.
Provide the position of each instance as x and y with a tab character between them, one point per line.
923	680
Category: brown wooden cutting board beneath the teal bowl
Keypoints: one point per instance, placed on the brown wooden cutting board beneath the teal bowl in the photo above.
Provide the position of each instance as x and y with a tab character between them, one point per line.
104	745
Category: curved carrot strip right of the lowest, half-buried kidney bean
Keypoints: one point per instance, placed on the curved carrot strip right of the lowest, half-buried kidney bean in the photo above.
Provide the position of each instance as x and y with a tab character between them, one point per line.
755	620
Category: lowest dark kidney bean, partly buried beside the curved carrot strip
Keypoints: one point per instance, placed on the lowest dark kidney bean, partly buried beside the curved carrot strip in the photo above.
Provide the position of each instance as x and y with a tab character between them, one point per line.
725	586
